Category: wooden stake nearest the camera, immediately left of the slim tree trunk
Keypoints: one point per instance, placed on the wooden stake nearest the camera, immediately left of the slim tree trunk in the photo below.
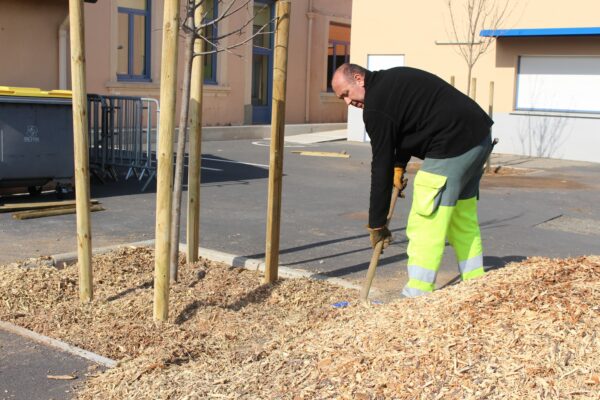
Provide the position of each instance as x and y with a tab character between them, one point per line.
168	91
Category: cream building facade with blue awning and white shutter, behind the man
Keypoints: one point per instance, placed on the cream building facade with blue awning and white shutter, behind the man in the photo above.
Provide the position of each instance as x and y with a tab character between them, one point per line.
544	62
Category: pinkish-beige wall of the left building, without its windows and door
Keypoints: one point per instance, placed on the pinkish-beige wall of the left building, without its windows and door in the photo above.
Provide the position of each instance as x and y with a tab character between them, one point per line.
29	39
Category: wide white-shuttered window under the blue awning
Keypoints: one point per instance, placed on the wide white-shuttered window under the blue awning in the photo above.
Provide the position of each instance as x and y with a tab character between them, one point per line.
559	83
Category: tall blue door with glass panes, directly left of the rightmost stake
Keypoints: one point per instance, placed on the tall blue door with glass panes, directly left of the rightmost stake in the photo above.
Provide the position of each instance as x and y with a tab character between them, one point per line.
262	63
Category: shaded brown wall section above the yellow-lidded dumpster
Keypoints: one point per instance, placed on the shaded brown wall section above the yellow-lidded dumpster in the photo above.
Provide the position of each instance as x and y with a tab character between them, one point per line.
29	42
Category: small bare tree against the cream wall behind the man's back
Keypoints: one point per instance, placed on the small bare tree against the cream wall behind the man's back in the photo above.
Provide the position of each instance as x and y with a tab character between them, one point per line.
467	19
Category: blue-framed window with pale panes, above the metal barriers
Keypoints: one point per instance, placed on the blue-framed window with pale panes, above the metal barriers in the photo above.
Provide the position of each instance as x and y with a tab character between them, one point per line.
133	50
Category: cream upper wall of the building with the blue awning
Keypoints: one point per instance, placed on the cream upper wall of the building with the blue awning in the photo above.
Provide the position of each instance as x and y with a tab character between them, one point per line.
412	29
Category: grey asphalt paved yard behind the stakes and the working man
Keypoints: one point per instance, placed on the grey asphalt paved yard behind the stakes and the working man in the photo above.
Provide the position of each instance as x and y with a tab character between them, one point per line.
549	211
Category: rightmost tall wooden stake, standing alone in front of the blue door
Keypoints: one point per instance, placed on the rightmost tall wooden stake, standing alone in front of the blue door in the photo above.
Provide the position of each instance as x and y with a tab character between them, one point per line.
283	8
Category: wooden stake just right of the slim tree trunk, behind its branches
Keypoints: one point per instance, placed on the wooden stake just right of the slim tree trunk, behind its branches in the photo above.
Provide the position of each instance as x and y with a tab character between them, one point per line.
195	156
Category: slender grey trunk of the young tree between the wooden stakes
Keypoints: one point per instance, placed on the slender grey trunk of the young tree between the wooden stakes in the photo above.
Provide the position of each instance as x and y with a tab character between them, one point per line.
181	140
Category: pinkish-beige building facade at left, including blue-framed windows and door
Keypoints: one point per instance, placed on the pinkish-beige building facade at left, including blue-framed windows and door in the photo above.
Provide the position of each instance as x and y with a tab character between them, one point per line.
123	50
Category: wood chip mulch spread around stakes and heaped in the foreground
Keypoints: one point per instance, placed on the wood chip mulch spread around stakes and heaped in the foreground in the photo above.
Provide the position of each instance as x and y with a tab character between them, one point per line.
529	330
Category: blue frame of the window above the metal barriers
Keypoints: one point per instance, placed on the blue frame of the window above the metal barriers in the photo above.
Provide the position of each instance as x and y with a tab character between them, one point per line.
147	13
